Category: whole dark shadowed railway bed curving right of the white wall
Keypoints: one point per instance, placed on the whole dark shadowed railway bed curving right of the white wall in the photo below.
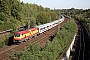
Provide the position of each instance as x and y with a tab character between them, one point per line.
82	50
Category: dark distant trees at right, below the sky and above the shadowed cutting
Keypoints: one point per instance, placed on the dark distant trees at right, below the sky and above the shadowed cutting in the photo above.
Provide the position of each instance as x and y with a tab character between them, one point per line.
80	14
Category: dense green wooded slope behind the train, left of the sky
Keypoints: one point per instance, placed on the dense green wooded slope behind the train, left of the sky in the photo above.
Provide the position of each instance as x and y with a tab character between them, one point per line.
14	13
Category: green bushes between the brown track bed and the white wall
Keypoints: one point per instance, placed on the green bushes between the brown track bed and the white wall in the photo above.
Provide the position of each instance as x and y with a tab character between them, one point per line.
53	49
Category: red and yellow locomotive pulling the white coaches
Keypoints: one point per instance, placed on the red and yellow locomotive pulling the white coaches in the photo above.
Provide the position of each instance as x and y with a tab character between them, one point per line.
26	34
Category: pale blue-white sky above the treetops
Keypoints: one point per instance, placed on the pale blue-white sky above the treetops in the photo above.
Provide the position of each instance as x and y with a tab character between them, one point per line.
61	4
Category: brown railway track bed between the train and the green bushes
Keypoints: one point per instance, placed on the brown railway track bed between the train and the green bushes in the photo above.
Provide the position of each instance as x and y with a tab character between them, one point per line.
42	39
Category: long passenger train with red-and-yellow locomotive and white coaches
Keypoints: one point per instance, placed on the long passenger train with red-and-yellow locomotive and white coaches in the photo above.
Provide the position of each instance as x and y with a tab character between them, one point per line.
27	34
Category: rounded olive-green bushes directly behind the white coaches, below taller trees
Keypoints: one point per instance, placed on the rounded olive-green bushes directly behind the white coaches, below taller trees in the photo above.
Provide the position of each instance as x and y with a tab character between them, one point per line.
44	17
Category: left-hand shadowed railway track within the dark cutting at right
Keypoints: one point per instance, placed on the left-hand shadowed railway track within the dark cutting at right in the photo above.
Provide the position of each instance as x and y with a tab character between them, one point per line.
82	45
